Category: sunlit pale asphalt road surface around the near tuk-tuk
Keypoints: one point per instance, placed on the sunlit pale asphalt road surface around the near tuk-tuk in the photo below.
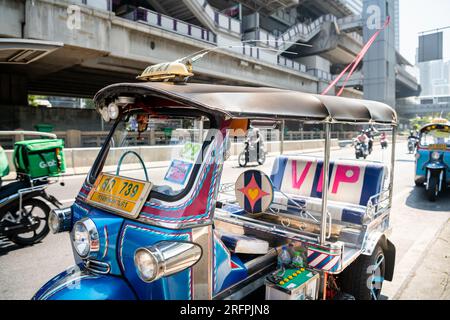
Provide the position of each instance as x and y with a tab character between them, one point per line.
416	224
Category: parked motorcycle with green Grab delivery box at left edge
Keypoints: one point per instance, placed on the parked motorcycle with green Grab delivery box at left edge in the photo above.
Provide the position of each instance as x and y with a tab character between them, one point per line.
24	209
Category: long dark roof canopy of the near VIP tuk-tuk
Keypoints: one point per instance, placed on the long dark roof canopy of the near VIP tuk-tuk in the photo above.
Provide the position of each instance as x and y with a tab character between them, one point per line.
256	102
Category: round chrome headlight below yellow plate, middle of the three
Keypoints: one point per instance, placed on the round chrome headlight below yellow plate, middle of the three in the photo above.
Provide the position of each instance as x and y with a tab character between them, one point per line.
85	238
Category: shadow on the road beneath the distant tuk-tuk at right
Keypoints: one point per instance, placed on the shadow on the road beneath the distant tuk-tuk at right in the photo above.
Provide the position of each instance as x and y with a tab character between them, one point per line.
418	199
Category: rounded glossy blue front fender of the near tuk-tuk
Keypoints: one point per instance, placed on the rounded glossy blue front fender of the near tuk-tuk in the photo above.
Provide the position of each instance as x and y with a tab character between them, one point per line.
79	284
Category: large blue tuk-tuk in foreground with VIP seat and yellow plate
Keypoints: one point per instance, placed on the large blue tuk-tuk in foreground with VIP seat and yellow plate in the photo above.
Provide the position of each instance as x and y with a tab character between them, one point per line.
142	230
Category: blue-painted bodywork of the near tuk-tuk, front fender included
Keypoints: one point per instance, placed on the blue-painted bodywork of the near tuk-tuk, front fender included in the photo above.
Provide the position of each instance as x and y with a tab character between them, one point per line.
119	239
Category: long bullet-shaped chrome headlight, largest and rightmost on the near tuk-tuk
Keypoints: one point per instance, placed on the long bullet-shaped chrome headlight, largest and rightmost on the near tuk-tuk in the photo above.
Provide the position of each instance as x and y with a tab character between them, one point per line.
165	258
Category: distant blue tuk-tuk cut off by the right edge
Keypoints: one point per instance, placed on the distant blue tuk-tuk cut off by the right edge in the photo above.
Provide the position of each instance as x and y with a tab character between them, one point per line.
433	158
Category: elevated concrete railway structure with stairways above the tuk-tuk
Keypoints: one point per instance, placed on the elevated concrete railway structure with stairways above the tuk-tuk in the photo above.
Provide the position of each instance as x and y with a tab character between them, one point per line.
75	53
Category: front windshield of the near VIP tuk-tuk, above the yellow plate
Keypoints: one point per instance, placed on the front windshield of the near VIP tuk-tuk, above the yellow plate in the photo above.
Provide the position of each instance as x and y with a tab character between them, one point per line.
142	145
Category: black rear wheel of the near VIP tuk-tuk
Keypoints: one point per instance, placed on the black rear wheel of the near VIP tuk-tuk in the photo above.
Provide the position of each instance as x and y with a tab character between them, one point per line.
364	278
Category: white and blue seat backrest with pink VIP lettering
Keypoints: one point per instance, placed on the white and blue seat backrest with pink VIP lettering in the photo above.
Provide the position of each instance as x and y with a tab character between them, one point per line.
350	181
